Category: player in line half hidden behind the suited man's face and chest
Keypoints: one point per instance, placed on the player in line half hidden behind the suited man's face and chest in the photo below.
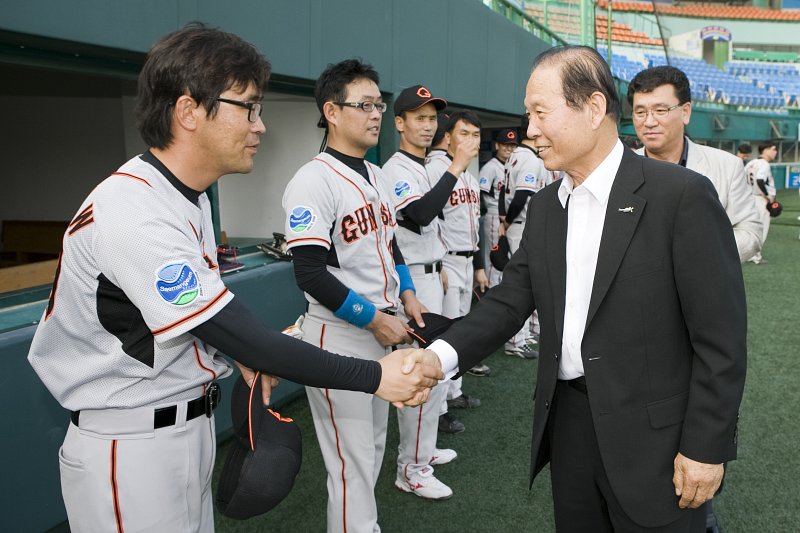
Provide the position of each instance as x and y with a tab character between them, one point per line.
525	175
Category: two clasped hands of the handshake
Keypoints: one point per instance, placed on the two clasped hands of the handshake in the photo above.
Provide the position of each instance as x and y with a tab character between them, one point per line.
408	375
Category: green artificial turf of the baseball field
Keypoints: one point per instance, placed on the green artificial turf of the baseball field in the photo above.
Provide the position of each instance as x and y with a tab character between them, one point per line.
490	476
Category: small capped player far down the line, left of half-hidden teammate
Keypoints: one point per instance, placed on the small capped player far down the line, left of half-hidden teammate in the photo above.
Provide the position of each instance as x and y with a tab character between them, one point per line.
492	178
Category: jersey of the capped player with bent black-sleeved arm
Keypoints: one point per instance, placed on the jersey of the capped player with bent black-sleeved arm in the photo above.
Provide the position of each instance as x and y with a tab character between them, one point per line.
406	182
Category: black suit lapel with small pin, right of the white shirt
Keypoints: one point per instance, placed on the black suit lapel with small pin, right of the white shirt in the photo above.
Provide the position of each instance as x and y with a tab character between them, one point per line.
622	216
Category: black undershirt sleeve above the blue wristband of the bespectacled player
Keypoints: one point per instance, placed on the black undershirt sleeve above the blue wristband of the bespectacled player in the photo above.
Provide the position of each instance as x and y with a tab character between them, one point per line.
311	273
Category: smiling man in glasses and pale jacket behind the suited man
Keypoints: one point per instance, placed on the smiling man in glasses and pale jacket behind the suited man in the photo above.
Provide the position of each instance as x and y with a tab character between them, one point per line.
662	107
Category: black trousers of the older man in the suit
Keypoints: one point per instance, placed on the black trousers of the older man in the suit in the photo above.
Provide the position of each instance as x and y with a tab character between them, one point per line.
582	496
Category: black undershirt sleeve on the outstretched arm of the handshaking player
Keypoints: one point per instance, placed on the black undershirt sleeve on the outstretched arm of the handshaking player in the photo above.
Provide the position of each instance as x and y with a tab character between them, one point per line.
237	333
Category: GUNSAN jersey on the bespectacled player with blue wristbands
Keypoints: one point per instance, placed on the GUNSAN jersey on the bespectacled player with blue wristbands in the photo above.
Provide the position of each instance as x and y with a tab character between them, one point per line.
329	204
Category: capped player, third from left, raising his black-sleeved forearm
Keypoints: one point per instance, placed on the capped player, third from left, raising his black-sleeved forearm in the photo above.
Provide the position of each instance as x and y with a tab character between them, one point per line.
418	205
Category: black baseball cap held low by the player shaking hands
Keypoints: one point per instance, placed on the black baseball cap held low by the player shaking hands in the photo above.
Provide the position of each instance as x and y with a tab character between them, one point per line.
264	459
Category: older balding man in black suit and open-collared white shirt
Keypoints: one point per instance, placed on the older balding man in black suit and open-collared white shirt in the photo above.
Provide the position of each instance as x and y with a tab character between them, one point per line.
633	268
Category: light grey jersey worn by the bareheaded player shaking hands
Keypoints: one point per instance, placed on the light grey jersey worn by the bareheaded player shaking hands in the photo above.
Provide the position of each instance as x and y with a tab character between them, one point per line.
137	272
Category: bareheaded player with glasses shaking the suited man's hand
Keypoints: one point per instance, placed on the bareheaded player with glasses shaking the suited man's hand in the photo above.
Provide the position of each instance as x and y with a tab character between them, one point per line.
128	341
